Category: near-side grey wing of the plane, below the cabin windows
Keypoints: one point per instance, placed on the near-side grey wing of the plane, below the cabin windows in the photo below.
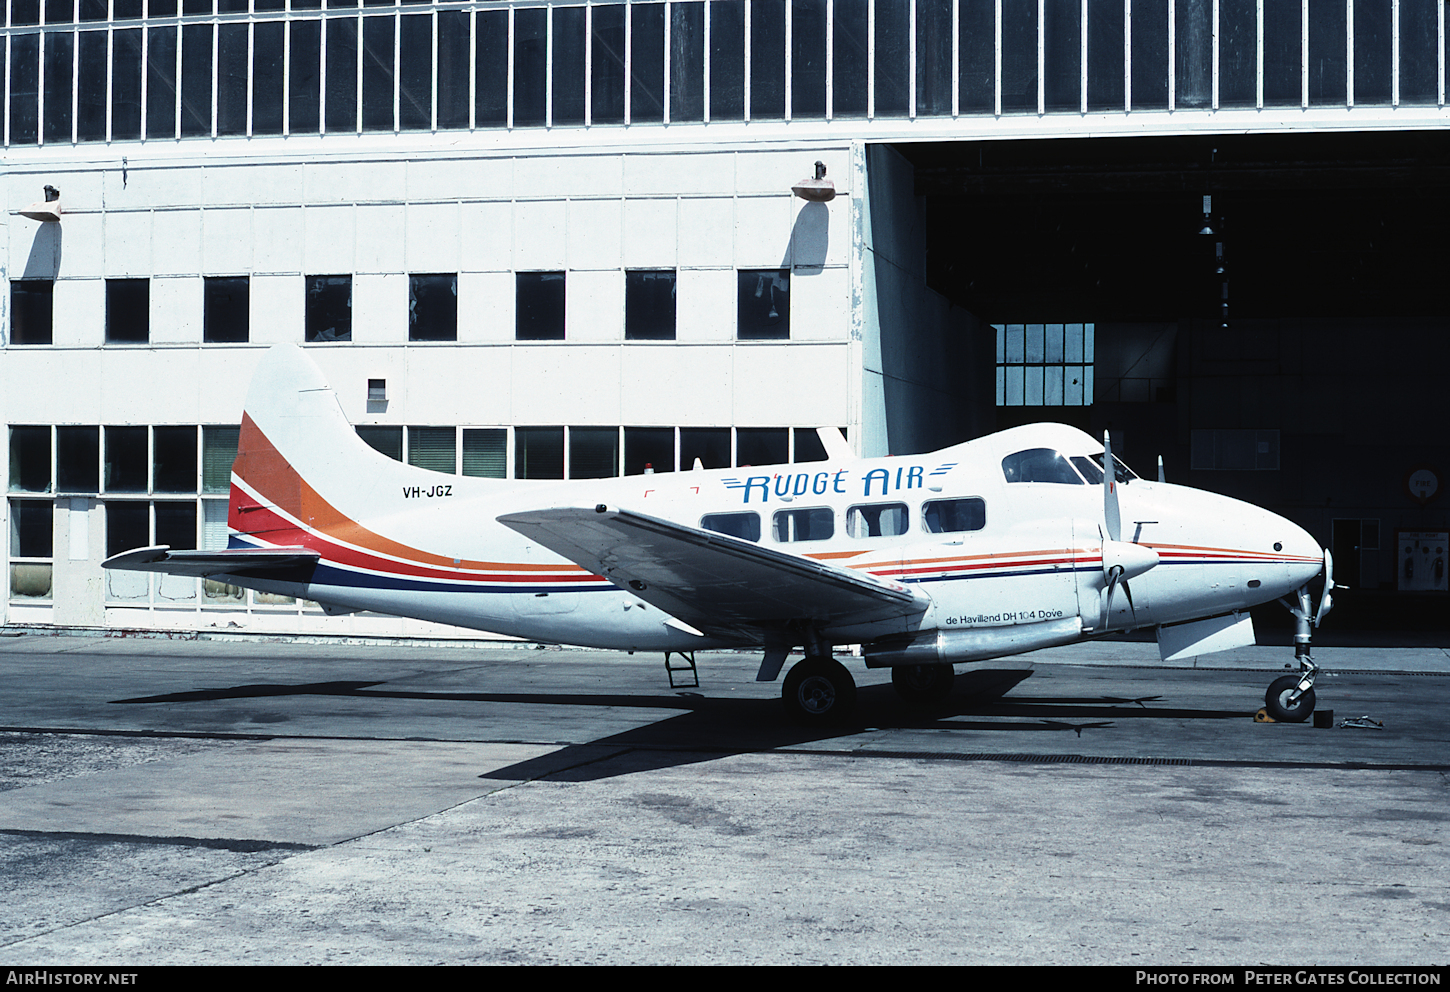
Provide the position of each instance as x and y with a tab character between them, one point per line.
717	584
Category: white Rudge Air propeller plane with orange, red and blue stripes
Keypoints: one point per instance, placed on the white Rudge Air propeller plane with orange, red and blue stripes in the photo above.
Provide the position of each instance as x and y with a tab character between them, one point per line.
1004	545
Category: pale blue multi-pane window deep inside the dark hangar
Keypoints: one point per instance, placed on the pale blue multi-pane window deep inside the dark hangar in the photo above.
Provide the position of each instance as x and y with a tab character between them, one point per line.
1045	365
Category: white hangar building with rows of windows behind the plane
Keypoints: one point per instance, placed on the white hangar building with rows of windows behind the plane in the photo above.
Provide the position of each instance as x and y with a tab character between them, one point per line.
559	240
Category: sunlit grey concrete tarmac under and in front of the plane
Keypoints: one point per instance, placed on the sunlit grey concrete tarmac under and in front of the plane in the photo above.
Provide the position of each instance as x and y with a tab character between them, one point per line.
252	803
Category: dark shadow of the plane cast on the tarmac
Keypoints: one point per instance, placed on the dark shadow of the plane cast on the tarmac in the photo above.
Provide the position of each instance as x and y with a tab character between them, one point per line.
714	727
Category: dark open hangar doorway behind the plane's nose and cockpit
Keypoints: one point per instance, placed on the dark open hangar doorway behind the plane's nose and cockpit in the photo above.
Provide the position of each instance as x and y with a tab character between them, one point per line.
1271	314
